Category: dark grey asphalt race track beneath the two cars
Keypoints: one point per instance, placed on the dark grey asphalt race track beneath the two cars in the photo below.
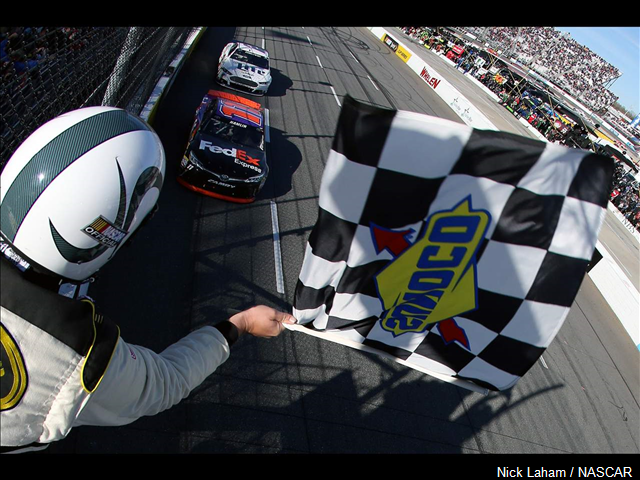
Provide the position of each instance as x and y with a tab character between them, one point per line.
201	259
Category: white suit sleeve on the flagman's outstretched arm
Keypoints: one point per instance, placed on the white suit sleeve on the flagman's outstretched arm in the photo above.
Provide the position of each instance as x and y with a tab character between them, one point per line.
140	382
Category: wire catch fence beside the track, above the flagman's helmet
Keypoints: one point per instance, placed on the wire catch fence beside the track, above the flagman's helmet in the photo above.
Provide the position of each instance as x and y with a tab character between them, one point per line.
47	71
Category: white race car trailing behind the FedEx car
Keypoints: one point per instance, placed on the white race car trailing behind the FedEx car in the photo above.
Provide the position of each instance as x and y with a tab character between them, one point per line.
244	67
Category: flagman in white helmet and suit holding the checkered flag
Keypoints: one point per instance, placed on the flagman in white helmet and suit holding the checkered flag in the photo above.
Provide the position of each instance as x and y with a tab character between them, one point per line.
63	364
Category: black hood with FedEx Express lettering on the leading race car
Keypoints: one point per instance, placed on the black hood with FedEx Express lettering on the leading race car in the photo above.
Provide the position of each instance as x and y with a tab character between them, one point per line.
225	158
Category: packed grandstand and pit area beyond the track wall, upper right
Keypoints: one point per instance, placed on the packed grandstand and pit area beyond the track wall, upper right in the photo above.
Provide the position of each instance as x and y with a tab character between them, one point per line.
556	85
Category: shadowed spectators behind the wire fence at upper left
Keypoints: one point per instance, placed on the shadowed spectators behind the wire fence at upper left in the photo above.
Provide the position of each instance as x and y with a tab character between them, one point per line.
46	70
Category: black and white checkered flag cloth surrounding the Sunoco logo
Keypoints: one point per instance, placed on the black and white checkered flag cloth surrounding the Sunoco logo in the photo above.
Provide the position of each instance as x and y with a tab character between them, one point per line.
395	168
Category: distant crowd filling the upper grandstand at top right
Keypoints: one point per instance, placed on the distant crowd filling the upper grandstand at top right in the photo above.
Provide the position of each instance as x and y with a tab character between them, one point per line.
557	57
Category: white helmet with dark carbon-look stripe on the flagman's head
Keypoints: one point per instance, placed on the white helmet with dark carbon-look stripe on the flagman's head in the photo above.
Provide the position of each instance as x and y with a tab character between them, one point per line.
78	187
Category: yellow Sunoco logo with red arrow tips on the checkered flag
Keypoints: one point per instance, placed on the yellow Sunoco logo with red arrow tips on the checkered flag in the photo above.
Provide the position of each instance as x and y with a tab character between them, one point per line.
435	278
